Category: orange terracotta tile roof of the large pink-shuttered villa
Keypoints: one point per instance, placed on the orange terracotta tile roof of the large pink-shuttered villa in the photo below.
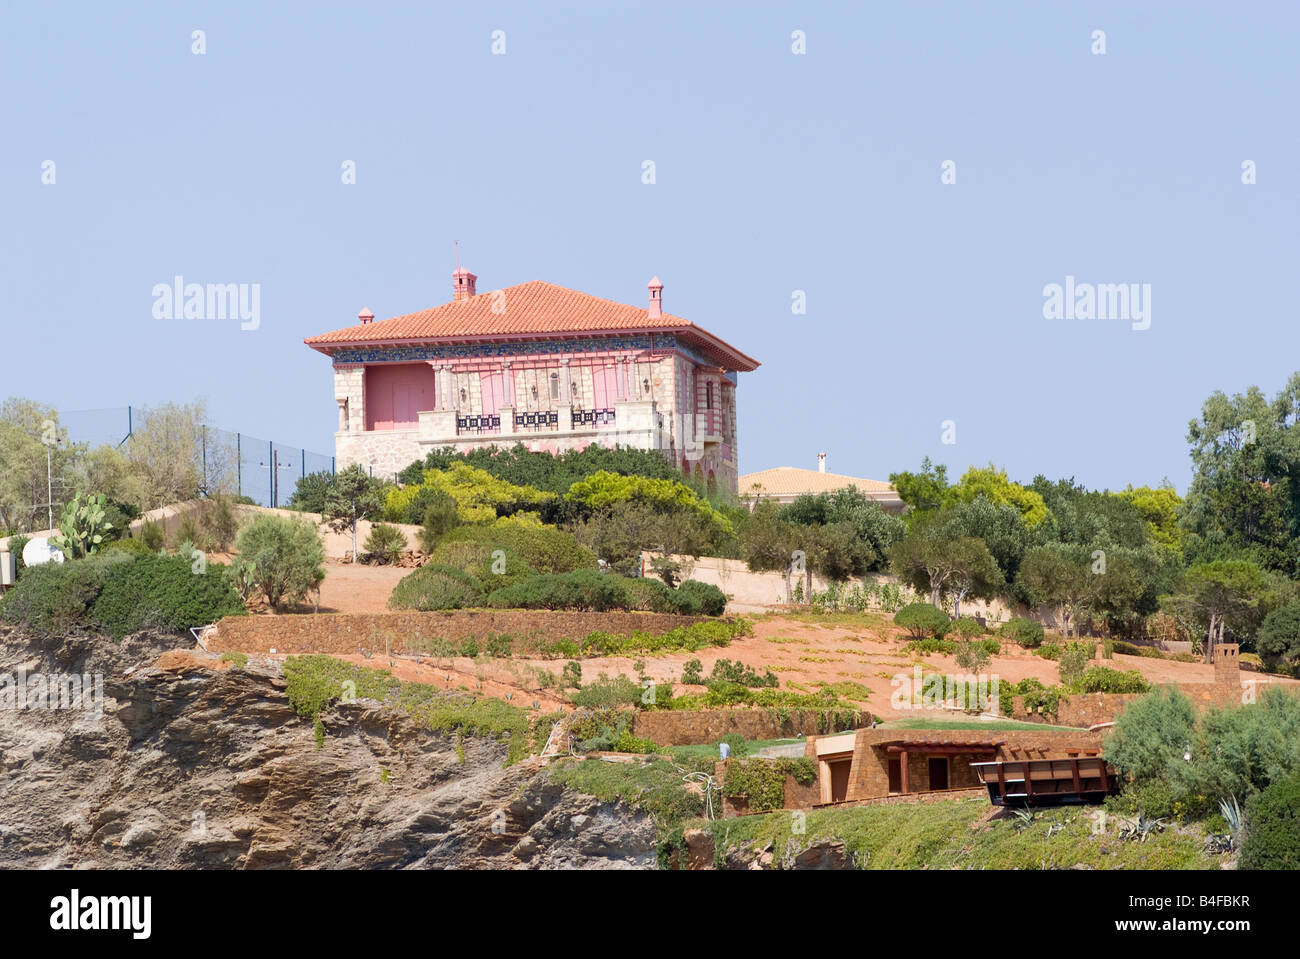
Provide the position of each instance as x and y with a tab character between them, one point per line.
527	310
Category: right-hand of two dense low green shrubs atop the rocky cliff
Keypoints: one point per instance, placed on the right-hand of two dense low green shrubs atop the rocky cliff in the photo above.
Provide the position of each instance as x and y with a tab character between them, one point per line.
166	593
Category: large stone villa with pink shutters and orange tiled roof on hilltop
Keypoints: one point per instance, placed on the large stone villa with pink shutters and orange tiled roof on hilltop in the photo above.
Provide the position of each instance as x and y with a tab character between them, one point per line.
538	364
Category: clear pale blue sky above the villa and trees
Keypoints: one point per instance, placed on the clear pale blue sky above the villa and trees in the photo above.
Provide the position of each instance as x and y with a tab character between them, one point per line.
774	173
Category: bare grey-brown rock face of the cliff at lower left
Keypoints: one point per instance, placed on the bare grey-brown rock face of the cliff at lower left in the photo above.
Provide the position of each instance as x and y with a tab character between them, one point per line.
197	765
